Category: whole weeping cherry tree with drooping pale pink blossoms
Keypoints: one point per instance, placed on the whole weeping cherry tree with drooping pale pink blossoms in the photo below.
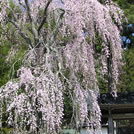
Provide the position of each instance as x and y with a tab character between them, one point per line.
60	60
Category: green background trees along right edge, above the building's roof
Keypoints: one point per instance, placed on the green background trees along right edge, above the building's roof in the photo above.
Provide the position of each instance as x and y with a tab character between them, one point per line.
126	76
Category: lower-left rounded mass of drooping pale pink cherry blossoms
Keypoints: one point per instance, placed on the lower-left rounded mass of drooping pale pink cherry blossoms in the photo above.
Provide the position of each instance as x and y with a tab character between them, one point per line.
37	101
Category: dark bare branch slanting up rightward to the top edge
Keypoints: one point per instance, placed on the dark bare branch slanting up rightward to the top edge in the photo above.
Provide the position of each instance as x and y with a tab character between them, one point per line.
44	15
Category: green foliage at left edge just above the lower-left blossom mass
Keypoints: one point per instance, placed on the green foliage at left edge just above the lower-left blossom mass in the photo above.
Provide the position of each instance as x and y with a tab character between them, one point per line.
7	67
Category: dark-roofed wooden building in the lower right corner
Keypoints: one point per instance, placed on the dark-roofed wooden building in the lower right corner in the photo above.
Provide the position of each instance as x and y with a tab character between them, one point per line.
118	113
